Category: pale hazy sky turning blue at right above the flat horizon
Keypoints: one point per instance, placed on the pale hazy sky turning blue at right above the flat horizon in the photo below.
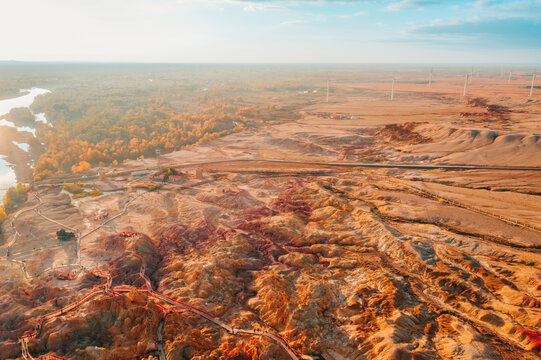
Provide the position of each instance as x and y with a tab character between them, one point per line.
297	31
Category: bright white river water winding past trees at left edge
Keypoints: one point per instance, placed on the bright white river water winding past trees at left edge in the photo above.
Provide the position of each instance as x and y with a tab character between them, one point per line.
7	175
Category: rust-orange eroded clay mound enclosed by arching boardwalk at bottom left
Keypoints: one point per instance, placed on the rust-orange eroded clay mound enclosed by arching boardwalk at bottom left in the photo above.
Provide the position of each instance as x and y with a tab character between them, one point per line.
104	329
